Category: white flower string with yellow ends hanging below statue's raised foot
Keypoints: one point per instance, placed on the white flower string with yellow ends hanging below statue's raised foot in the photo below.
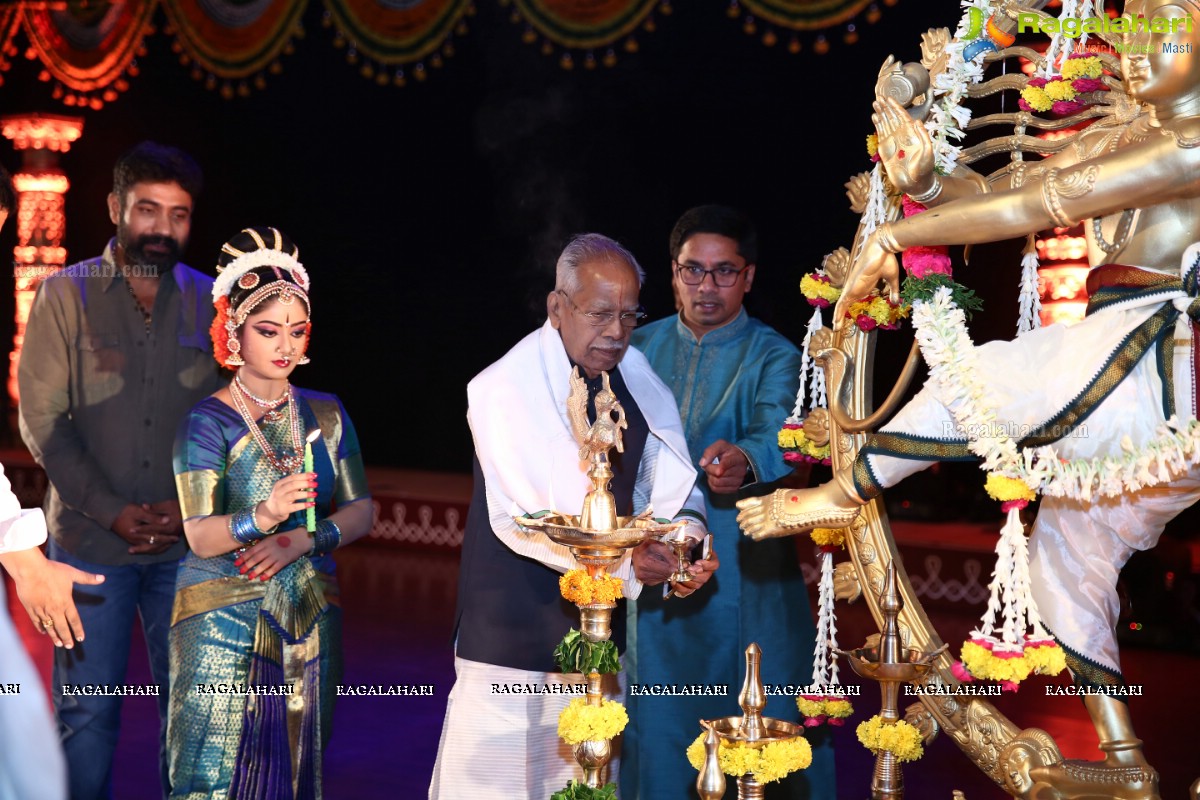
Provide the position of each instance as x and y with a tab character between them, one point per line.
826	703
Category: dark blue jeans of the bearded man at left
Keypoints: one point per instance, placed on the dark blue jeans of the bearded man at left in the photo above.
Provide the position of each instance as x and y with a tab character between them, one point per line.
89	724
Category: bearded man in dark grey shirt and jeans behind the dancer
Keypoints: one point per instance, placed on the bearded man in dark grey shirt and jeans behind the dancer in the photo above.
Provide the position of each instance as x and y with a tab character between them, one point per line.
117	351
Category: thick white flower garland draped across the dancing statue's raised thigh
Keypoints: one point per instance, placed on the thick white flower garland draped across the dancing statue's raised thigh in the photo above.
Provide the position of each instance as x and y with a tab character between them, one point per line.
955	376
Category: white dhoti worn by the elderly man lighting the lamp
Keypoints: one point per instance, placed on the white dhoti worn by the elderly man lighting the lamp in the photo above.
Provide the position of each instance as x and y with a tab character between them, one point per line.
501	733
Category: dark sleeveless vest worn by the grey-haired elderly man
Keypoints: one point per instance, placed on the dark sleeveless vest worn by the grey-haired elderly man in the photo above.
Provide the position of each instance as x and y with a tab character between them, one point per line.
511	612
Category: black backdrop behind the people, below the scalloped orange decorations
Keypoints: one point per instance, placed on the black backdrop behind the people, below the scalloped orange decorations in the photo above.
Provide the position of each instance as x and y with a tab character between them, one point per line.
430	216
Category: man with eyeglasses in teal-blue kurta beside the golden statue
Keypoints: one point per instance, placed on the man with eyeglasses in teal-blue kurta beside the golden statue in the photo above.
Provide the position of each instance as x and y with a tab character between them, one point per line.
735	380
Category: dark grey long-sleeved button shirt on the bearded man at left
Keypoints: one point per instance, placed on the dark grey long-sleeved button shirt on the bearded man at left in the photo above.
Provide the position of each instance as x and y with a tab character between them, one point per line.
101	398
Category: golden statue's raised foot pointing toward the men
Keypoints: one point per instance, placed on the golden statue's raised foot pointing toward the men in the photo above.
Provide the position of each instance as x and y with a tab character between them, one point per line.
787	513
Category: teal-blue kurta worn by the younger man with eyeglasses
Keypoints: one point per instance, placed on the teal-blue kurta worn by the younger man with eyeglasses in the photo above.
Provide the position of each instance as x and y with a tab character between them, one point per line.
739	383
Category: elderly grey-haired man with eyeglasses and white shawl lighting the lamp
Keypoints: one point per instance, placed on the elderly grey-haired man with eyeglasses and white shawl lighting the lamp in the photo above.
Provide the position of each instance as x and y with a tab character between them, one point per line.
500	737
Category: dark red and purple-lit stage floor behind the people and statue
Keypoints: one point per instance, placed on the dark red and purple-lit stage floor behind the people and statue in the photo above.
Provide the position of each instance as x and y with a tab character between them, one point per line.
399	610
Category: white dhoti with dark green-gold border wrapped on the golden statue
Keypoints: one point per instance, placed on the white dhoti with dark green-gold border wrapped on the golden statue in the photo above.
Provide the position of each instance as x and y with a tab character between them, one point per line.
1077	550
